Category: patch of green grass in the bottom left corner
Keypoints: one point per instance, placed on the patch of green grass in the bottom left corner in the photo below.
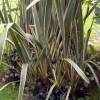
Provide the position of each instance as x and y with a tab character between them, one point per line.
10	92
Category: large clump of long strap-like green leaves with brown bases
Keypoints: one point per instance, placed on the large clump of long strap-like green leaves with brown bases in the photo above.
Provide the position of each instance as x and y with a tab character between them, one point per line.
59	47
